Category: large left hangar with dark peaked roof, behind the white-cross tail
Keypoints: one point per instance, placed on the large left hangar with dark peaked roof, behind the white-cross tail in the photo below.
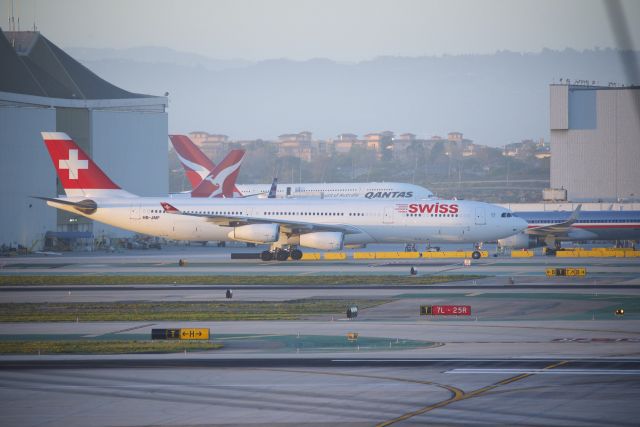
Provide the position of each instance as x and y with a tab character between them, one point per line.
44	89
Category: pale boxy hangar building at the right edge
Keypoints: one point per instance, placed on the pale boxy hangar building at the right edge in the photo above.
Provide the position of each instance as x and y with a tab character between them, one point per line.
595	142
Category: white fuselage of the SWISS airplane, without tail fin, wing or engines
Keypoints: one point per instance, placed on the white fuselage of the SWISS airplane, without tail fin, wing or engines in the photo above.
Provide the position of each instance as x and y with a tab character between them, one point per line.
377	221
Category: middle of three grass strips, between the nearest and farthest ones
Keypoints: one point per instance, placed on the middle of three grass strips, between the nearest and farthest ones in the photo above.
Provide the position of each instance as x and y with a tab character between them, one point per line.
179	311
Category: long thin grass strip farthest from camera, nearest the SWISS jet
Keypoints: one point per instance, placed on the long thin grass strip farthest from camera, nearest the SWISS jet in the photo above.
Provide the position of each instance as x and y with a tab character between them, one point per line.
43	280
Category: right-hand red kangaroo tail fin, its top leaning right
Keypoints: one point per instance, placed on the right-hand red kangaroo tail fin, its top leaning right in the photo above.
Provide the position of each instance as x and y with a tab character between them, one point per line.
221	182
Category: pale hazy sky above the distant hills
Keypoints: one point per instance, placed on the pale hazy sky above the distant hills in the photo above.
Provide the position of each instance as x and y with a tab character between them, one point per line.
345	30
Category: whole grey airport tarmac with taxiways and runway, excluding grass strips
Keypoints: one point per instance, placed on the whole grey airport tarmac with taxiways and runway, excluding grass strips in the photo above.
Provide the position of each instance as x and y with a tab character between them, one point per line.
534	351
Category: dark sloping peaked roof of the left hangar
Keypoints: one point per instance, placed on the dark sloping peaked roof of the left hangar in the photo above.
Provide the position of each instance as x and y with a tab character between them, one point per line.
33	65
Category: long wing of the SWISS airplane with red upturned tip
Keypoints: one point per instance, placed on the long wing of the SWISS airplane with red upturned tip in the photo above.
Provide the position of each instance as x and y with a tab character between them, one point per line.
287	226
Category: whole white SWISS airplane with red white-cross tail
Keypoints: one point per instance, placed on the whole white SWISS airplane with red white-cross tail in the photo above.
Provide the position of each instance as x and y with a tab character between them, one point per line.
285	224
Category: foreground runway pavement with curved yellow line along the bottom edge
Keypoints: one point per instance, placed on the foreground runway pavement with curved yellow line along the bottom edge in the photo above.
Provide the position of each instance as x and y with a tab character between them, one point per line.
320	392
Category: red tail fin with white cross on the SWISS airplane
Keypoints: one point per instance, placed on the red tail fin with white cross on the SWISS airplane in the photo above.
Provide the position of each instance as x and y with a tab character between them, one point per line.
79	175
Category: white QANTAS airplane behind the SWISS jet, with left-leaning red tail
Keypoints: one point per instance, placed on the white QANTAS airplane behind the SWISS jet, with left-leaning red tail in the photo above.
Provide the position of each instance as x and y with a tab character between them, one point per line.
197	165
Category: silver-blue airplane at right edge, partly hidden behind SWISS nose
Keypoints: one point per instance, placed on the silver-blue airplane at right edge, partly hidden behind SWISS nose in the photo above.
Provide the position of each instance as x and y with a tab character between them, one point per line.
553	228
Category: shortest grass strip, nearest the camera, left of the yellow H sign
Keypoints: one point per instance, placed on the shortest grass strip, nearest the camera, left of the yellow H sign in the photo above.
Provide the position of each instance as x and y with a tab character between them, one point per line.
104	347
